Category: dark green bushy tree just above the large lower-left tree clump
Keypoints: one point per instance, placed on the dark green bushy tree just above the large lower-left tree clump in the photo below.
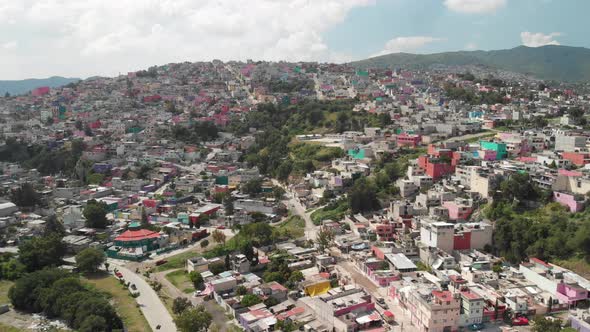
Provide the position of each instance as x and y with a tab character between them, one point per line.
40	252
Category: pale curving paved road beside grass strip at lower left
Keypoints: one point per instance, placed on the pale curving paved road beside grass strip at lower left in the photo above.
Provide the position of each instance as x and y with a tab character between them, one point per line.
152	307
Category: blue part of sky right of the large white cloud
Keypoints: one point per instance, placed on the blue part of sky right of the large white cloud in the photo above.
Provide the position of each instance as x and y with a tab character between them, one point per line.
366	29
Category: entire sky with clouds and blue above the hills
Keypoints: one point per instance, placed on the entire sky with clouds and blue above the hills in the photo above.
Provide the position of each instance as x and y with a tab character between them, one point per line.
82	38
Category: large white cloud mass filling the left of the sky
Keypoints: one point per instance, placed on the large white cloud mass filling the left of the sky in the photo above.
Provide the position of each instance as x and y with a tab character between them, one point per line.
105	37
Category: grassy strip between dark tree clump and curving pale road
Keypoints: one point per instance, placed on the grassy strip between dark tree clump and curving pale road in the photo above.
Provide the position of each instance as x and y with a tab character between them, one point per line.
124	304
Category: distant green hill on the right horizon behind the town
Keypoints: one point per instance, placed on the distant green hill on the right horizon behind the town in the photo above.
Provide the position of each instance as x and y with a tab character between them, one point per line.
562	63
